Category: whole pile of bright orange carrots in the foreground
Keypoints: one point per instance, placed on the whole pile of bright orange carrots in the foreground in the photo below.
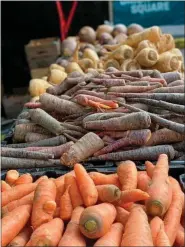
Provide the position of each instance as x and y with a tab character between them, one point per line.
128	208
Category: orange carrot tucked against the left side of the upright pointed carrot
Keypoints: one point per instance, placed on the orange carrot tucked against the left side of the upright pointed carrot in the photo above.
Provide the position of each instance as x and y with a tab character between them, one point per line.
74	192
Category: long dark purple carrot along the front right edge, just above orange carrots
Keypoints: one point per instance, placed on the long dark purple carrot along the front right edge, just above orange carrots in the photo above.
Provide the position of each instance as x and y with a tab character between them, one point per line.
146	153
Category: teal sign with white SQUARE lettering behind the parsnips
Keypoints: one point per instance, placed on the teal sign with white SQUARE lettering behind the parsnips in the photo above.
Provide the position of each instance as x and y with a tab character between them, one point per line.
169	15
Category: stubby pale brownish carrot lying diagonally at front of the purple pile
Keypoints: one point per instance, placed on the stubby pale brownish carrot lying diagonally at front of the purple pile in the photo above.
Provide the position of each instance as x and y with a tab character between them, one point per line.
82	149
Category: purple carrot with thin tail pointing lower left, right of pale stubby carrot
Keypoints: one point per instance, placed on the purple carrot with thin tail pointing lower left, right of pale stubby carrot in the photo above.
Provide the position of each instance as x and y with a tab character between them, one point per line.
136	138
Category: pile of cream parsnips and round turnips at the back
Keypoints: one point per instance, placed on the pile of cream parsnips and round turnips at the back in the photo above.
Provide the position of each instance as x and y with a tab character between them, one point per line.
124	48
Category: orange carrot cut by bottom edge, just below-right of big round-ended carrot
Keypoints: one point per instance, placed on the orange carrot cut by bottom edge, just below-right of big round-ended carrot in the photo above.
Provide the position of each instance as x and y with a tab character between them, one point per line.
112	237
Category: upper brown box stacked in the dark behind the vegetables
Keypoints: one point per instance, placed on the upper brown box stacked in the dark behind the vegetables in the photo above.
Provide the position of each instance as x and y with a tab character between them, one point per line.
42	52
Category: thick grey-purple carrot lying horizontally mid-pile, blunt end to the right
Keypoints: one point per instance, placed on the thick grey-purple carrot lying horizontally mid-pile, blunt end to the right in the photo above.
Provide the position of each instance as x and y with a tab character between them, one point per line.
129	122
